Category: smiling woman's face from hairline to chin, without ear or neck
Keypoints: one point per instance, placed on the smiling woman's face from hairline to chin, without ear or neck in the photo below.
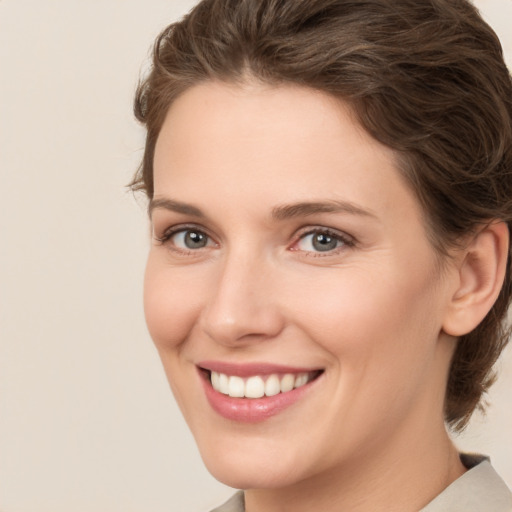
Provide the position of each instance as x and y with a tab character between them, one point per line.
290	264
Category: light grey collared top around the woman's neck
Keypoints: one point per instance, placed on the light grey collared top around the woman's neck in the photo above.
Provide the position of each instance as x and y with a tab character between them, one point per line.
480	489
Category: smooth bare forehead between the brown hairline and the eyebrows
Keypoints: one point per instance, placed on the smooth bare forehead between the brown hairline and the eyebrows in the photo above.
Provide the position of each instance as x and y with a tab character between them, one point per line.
257	144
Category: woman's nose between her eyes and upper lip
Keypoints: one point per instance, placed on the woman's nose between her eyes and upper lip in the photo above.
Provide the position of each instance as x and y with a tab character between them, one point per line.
243	305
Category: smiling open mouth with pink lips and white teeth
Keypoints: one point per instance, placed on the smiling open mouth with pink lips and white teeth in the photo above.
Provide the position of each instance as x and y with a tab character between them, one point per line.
253	393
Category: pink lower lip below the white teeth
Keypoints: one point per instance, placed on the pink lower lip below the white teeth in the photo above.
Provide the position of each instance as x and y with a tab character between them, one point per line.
252	410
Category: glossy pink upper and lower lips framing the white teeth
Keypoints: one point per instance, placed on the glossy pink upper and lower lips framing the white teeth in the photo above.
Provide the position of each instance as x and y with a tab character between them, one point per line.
251	410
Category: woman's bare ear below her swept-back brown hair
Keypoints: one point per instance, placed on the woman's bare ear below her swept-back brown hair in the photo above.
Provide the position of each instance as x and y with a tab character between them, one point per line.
481	271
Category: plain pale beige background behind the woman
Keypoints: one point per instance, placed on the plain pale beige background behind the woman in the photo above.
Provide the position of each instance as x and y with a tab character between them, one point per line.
87	422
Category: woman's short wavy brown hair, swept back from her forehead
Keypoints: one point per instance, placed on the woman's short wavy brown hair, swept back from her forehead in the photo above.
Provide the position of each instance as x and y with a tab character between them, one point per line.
425	77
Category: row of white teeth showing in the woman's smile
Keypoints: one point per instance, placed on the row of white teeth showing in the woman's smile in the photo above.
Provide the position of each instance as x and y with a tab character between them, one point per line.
257	386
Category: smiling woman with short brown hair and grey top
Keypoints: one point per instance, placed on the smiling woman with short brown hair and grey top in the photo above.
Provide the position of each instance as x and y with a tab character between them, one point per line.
330	187
